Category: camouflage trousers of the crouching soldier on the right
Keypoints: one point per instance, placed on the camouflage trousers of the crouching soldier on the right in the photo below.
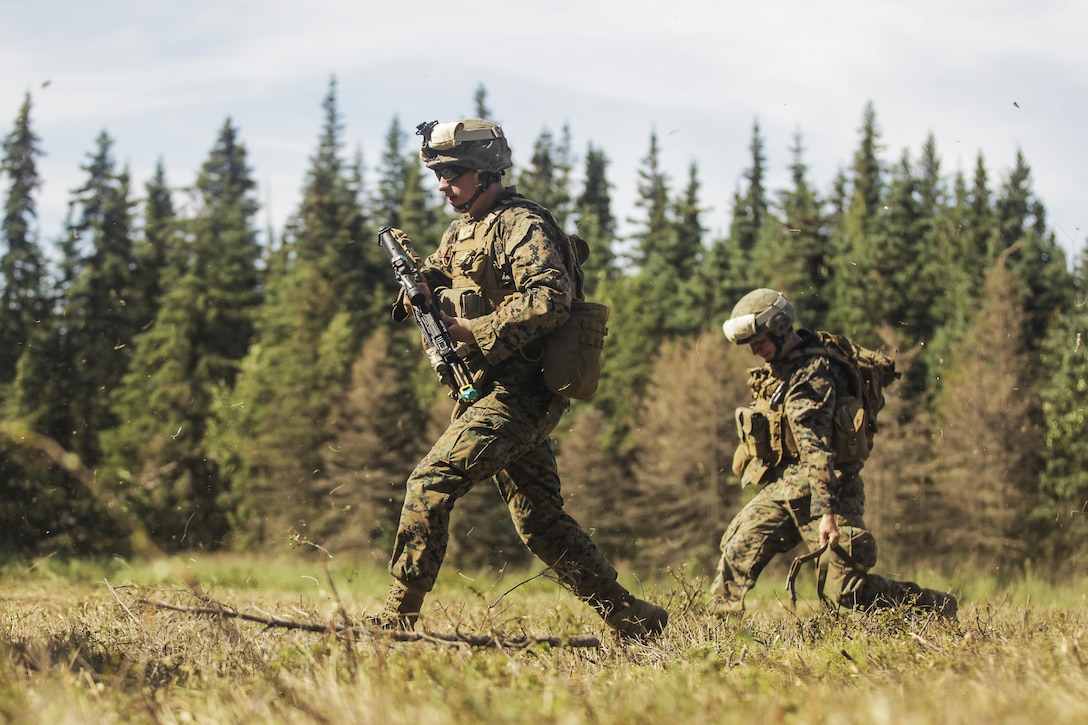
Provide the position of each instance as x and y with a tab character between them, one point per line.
766	527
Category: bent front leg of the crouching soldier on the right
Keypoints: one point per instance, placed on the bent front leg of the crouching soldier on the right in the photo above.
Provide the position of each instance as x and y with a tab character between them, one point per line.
761	531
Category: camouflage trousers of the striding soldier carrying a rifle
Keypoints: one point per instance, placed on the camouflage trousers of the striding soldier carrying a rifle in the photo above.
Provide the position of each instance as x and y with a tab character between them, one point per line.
504	437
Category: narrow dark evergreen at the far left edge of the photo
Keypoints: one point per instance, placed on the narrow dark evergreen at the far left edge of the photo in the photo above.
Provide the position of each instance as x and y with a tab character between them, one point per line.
23	298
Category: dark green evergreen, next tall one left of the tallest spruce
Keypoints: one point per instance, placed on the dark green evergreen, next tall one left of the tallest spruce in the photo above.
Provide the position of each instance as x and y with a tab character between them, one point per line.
195	347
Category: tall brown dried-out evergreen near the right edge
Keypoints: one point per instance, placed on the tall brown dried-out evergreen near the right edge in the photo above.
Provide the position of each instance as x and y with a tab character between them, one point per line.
988	451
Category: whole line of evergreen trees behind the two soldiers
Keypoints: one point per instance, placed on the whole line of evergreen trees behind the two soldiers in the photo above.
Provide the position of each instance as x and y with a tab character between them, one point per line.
169	382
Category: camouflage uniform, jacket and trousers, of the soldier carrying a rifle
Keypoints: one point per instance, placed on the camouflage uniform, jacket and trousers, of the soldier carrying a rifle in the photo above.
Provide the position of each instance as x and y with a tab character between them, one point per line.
505	435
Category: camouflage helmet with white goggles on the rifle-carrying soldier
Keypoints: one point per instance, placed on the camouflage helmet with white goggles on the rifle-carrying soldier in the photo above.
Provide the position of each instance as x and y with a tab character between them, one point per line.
472	143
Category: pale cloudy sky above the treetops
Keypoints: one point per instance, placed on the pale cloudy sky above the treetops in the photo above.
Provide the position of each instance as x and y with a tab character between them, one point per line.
981	77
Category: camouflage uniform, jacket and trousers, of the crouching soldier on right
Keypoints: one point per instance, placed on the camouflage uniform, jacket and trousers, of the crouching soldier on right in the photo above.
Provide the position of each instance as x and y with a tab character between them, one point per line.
787	511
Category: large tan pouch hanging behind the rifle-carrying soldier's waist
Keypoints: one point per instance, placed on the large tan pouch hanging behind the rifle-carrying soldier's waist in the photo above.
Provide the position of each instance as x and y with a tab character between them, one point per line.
574	353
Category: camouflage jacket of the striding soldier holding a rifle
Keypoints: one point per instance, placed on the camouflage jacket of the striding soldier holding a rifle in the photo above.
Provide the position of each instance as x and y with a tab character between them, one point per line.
508	275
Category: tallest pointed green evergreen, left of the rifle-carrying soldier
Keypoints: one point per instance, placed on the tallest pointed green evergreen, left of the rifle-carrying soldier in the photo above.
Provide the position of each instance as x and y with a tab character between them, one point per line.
327	290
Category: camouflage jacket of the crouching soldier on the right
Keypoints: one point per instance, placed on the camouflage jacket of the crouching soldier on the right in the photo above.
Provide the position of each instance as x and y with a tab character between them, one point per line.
809	405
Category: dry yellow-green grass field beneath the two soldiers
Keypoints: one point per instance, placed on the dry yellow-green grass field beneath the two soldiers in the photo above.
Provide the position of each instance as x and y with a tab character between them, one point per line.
95	643
